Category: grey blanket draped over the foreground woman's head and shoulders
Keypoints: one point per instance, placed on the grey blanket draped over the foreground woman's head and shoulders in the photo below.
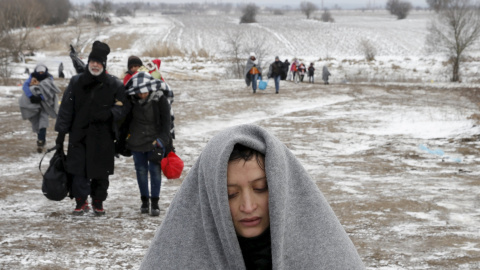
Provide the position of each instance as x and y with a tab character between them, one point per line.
198	232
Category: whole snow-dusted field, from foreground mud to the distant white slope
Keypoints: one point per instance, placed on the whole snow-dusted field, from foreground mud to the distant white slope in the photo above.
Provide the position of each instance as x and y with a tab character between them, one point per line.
395	151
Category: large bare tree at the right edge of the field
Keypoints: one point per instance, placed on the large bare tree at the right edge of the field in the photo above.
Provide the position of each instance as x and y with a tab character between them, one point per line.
454	31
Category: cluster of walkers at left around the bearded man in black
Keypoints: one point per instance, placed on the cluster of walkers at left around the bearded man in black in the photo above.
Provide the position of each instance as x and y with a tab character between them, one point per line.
104	117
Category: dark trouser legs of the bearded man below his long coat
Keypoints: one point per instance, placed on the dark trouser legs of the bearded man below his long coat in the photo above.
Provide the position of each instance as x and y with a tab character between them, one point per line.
96	188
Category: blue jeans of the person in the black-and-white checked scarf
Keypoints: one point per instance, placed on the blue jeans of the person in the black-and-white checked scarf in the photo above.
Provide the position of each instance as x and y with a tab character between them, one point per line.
142	167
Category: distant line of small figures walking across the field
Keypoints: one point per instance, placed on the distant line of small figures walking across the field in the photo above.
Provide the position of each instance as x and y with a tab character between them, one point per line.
281	71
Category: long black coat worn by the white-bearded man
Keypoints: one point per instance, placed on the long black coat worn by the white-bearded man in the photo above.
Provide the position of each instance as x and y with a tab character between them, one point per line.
91	141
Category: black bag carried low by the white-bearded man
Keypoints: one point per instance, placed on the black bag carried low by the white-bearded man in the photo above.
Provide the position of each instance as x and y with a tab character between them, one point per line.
56	183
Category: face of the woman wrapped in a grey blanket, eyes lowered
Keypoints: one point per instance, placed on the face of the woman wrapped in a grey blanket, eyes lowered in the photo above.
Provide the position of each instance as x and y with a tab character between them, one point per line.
248	197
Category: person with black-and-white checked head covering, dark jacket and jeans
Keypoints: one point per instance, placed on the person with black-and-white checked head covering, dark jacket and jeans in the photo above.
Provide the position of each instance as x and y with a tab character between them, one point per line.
146	132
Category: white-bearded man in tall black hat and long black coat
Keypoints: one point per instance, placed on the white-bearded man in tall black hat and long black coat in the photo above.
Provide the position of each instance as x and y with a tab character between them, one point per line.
91	104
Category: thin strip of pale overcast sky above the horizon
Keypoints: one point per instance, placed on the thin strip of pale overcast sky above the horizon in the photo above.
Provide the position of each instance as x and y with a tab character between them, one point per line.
346	4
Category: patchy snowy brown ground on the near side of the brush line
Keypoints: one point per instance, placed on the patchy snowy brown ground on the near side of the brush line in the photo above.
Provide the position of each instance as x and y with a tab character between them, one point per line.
366	147
